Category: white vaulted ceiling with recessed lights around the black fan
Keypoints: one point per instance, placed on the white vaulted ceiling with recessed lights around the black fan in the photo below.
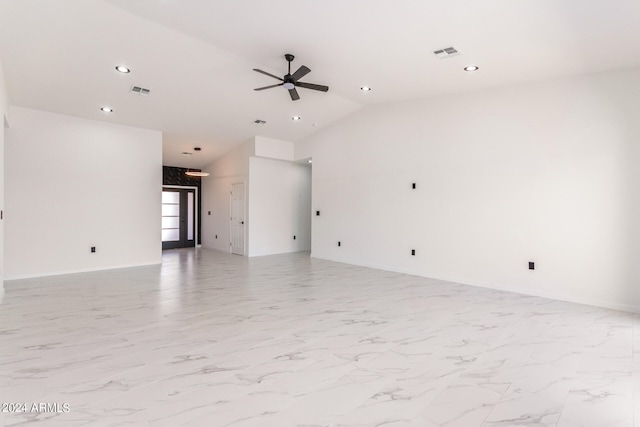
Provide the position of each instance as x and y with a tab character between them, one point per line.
197	57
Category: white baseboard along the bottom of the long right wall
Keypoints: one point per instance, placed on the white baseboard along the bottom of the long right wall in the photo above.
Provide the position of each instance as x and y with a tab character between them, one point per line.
517	290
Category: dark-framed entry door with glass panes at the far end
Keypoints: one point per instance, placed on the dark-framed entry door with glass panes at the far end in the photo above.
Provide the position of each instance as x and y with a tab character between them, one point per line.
179	227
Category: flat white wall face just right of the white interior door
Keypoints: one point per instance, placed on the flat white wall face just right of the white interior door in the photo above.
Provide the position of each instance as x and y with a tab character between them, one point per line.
280	207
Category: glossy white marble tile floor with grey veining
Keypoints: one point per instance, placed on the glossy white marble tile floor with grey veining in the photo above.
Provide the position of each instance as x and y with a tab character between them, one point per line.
210	339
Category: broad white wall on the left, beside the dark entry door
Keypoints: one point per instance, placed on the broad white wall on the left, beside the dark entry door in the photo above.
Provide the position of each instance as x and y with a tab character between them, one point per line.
74	183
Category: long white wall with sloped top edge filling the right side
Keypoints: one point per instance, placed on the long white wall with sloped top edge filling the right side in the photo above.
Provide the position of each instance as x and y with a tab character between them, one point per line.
545	172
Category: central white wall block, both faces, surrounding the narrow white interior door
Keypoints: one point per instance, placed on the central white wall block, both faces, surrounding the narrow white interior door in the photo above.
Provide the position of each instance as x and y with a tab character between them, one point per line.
277	199
